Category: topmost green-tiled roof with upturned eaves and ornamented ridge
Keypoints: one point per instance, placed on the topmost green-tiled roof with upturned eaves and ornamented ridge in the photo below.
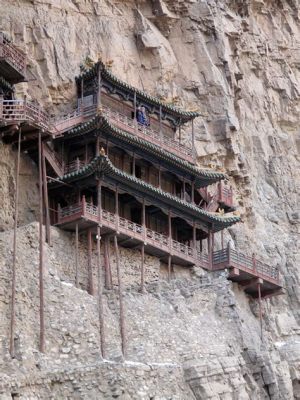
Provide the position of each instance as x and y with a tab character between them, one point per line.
90	79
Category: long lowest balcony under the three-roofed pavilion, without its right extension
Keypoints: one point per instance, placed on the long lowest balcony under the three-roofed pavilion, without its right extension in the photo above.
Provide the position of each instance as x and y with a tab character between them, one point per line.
130	234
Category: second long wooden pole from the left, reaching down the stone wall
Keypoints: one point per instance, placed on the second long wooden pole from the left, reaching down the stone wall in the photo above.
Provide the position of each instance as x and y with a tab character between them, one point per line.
41	249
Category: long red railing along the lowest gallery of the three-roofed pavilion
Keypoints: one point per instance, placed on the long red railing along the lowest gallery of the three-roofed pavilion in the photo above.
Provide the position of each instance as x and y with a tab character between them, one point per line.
132	229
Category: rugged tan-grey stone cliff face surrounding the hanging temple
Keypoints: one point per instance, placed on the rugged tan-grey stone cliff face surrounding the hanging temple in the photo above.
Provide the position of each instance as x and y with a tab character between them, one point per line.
238	63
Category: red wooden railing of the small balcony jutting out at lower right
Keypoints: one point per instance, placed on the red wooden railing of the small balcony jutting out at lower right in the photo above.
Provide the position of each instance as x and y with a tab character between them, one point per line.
227	258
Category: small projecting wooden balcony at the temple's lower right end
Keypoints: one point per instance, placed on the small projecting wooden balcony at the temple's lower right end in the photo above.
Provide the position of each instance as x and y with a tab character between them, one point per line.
248	272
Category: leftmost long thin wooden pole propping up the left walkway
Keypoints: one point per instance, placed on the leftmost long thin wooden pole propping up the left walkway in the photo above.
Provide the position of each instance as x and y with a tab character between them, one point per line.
13	285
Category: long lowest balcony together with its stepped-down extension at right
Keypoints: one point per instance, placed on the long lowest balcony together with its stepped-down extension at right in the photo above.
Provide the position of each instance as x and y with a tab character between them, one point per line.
257	278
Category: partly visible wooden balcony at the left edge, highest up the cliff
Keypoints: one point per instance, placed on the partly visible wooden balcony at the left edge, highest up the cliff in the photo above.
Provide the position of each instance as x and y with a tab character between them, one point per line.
12	61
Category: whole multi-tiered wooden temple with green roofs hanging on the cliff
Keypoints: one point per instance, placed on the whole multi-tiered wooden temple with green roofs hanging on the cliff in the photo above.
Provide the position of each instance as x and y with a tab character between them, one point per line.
123	166
